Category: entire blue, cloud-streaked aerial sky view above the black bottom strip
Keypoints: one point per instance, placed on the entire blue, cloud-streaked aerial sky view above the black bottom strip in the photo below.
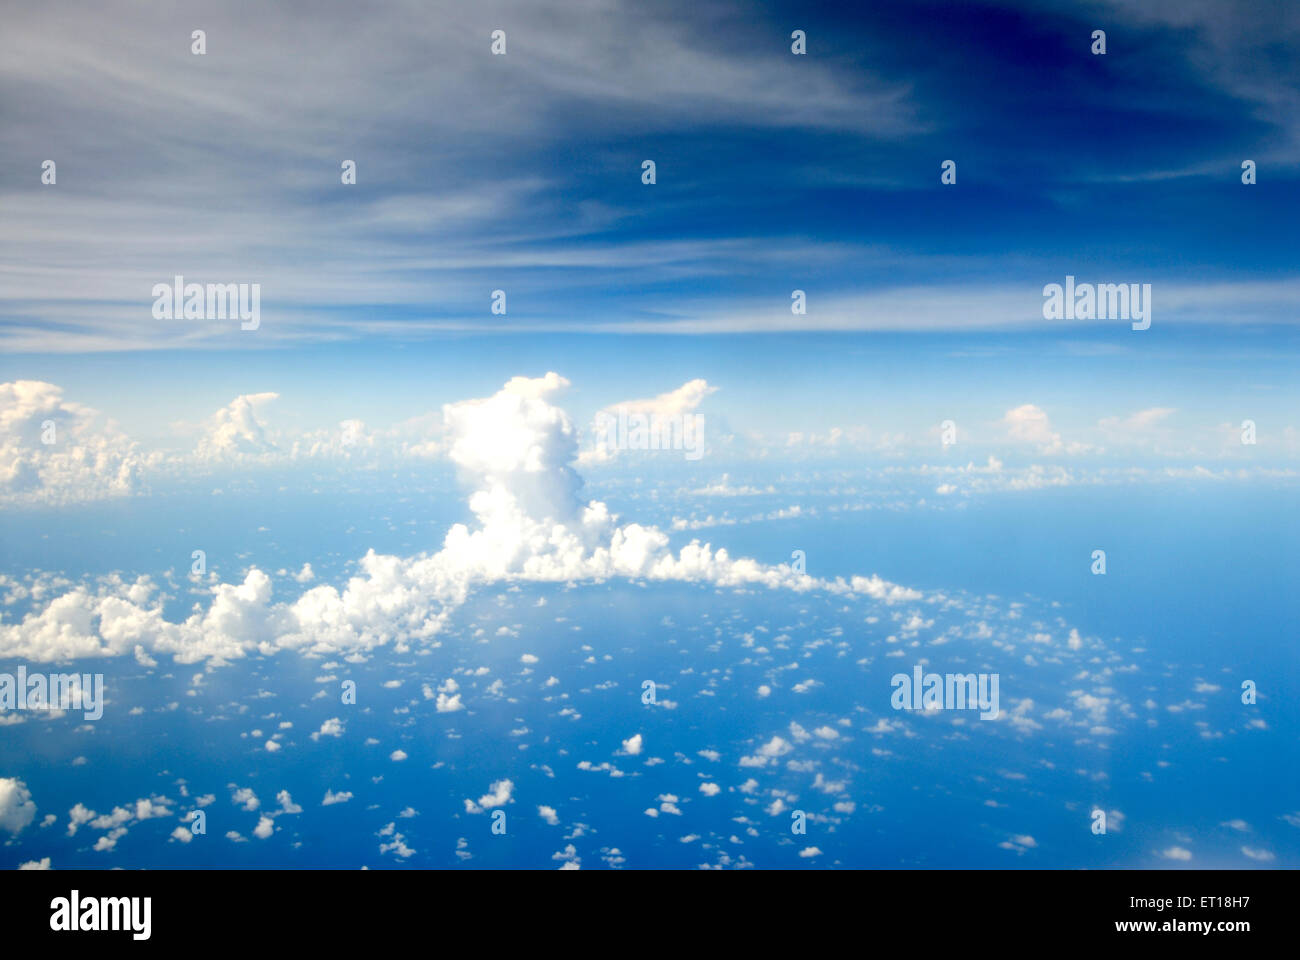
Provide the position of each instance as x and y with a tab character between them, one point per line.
840	269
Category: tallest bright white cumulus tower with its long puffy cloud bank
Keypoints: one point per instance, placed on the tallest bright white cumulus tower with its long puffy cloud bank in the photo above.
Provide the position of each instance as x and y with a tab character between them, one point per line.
515	451
